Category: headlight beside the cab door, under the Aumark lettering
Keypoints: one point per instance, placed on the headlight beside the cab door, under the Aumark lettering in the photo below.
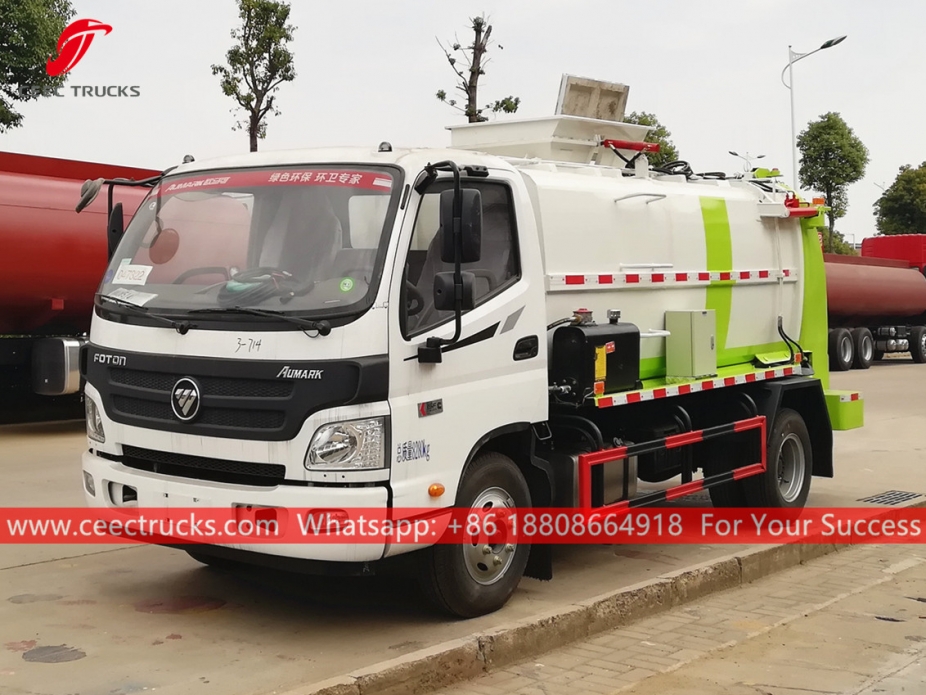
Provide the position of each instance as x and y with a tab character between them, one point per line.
353	445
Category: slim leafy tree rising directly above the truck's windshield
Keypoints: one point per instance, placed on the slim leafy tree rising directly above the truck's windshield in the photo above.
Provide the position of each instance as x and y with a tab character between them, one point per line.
258	64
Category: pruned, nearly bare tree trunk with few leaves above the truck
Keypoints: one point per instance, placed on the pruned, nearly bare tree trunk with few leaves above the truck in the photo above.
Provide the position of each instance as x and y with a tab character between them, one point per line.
474	60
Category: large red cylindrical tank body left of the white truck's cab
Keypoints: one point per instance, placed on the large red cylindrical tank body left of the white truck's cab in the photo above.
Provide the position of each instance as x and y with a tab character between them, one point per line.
53	258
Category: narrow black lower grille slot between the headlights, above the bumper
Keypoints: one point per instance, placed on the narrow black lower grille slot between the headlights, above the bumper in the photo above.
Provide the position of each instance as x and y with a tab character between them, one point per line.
202	468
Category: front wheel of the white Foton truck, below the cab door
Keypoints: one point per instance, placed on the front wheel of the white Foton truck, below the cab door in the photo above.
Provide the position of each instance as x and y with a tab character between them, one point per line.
465	580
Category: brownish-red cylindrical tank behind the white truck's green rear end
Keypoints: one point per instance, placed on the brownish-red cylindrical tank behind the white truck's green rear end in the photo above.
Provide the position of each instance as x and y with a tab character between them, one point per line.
872	287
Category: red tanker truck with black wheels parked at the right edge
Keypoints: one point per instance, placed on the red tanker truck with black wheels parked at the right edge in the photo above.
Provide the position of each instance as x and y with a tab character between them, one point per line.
877	301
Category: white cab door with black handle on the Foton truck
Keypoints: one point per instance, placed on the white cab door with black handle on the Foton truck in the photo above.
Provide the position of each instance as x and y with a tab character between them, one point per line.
494	377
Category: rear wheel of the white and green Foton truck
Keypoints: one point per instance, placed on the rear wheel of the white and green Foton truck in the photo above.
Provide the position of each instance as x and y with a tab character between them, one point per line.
786	482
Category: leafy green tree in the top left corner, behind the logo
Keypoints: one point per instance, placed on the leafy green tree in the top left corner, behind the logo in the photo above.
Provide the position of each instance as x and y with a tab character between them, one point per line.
28	37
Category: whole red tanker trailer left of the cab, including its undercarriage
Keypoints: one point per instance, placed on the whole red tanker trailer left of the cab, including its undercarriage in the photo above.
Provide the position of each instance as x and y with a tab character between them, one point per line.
52	263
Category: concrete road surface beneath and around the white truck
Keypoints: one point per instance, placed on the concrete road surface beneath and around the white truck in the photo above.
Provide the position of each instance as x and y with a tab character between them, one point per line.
146	617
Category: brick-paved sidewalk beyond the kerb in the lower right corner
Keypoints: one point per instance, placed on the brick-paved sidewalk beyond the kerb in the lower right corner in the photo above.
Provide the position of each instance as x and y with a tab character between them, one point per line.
853	623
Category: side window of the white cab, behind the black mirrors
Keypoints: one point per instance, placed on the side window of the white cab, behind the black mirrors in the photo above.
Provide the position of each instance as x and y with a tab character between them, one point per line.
498	266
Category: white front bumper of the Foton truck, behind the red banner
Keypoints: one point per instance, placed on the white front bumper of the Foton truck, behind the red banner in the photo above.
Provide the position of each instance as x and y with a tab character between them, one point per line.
160	491
